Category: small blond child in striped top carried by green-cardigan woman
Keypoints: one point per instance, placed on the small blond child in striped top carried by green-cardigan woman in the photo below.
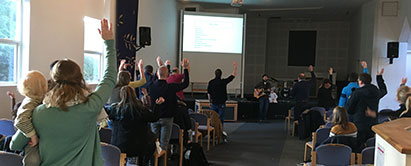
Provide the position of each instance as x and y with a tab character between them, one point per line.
34	88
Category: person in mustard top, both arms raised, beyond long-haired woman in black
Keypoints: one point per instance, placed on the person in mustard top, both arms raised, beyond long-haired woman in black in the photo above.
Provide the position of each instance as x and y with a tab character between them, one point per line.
124	78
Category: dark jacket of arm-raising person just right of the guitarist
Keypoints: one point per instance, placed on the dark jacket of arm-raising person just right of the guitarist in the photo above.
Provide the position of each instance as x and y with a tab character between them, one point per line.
301	90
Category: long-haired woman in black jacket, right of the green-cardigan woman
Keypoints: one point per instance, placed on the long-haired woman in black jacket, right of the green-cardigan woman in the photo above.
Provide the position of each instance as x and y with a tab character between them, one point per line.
130	125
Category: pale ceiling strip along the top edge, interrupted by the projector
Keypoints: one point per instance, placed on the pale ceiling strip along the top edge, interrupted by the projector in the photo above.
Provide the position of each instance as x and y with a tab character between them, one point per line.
290	8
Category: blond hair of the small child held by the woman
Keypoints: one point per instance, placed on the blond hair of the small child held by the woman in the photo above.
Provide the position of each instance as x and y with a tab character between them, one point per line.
33	85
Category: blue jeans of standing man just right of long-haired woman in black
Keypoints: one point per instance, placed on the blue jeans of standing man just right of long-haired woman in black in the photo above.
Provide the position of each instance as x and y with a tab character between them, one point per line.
163	129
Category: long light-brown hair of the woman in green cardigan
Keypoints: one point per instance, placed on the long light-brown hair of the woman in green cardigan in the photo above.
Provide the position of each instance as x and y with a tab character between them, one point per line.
69	85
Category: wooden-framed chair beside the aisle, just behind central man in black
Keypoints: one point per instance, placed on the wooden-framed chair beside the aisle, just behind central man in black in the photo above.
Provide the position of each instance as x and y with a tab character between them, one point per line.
204	125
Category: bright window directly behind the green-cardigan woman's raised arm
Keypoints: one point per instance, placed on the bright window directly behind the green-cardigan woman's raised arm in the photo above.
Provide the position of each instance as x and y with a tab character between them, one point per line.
93	50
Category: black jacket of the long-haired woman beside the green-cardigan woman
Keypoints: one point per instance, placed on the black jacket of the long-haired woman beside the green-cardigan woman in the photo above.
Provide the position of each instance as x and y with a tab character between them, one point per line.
131	132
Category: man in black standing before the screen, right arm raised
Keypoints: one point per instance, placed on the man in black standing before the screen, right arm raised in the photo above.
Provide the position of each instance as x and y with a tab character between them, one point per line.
217	91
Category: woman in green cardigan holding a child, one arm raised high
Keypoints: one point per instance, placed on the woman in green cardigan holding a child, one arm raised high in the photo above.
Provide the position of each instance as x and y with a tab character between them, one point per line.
66	122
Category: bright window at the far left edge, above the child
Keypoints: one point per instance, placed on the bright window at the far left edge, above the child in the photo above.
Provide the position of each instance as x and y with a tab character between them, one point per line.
10	39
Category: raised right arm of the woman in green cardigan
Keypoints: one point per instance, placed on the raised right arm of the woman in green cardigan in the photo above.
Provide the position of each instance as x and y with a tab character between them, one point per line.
103	91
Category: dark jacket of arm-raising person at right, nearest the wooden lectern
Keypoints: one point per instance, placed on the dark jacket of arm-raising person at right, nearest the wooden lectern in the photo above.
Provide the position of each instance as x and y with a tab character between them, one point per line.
367	96
